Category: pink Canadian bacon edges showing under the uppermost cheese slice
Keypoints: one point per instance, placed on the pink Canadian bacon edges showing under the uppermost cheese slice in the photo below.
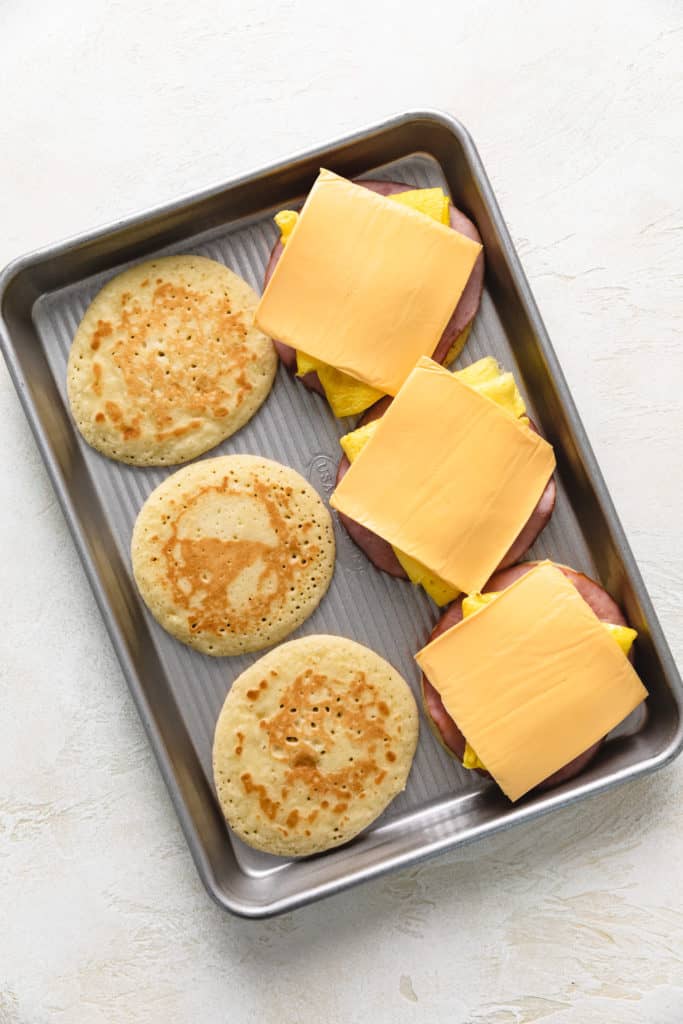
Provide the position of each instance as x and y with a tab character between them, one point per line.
463	315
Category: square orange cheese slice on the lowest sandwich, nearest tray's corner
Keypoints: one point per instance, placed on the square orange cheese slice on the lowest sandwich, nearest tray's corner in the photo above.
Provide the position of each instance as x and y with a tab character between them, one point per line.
533	679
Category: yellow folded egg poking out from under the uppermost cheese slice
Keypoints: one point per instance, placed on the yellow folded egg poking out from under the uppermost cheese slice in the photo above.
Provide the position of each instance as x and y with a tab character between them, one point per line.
347	396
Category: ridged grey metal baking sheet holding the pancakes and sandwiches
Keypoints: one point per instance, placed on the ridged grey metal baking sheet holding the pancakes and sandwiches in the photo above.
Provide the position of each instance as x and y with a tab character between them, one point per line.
179	692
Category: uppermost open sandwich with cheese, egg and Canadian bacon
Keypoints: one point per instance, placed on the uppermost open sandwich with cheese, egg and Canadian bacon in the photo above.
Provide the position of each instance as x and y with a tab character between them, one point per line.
366	279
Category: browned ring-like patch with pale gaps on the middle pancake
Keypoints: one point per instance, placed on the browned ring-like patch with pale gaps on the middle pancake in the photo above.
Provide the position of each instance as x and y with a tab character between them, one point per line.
201	571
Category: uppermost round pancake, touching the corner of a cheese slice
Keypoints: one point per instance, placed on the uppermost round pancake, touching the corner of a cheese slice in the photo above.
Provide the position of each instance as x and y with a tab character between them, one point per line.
167	362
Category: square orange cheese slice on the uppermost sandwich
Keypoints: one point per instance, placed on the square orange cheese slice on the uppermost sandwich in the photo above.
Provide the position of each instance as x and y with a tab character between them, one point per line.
364	284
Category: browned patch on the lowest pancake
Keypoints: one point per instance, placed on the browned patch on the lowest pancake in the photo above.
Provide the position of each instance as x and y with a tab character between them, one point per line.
313	719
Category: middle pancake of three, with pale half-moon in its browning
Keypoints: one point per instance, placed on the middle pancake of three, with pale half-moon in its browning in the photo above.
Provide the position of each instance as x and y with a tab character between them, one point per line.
232	554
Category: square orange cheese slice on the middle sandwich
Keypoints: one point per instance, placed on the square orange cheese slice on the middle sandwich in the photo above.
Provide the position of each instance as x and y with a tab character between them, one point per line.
449	478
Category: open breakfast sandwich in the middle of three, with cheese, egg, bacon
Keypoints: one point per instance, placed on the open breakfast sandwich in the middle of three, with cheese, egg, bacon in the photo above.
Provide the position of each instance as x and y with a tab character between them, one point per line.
448	482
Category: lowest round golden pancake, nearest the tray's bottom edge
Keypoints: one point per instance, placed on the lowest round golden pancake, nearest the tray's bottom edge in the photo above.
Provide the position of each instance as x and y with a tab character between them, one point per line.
314	741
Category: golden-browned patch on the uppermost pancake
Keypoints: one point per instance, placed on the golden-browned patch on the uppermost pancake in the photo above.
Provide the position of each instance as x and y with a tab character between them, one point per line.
181	353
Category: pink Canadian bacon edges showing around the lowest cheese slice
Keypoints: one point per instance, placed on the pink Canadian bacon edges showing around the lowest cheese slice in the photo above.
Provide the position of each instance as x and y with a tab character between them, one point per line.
446	730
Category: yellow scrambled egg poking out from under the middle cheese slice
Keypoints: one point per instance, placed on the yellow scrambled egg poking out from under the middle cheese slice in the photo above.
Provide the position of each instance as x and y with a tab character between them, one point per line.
487	377
